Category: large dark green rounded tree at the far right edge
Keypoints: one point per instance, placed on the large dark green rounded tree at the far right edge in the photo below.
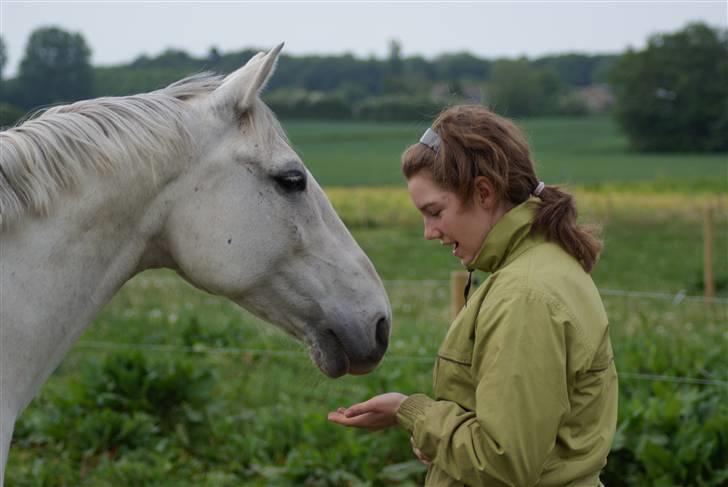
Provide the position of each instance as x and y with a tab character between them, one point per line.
673	95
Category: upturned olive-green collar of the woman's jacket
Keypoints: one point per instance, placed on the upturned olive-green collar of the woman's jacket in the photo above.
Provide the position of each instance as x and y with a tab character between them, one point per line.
507	239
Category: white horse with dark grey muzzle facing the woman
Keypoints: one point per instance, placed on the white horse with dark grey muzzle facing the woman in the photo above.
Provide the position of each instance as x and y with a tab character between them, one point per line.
197	177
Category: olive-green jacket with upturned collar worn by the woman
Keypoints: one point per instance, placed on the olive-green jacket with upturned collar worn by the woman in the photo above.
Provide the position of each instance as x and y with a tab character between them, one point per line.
525	384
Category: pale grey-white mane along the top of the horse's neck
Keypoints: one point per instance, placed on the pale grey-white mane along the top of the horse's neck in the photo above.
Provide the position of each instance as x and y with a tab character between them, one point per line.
52	151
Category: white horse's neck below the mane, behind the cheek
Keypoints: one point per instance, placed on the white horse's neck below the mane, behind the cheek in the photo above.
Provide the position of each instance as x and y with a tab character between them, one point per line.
59	271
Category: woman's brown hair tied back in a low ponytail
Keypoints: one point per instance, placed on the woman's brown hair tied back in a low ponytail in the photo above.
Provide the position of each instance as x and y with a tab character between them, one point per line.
477	142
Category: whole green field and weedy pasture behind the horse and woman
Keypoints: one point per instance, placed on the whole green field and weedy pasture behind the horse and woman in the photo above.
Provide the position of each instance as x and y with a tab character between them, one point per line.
171	386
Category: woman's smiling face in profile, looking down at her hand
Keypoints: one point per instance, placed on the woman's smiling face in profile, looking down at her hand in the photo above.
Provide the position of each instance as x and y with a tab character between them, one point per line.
463	227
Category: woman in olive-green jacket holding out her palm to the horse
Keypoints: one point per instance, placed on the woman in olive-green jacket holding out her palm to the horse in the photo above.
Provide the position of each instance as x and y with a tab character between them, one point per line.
525	387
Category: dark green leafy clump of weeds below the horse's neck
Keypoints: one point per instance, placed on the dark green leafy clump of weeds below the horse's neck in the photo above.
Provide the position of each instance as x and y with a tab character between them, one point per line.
126	403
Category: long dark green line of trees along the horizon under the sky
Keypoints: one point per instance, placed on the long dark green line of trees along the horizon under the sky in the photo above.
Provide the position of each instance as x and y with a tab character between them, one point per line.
671	96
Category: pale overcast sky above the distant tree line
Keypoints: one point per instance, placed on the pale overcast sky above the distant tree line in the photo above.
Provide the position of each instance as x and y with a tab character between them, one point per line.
118	32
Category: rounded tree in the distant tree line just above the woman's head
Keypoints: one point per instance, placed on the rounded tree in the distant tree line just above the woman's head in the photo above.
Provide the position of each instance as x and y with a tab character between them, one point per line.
518	89
